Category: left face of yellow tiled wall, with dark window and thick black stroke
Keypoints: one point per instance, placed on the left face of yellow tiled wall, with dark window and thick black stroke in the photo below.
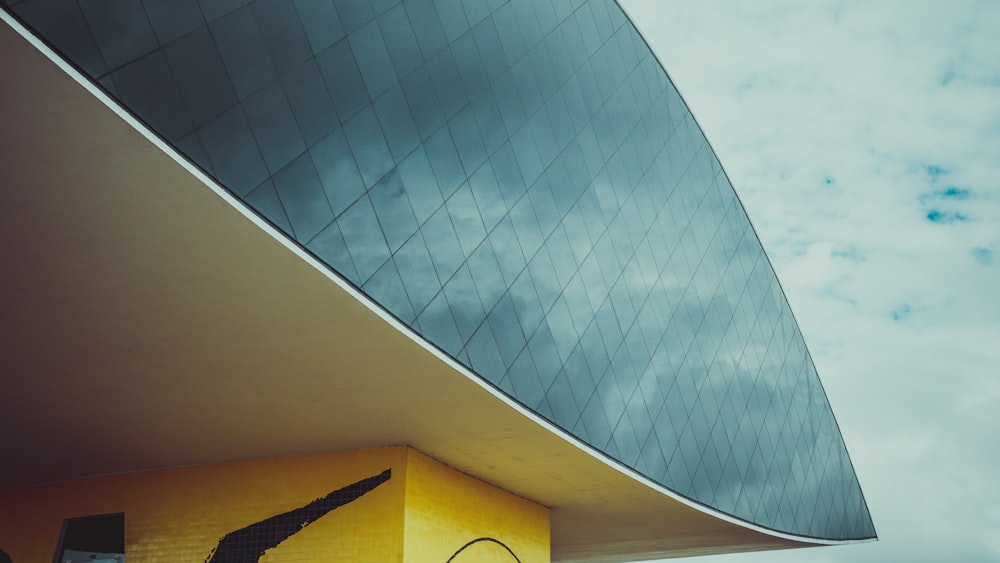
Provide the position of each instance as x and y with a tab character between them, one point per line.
179	515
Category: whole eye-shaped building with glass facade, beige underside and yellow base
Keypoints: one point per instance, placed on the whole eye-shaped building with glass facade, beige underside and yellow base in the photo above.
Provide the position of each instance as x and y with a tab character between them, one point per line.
375	280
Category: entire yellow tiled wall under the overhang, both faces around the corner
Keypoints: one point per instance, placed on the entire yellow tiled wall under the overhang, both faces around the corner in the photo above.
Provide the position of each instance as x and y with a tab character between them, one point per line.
425	512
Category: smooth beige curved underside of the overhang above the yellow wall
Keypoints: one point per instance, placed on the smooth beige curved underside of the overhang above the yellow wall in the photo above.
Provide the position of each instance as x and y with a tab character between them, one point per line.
151	320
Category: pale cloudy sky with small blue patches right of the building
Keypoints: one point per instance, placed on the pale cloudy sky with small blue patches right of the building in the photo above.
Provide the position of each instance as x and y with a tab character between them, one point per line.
863	138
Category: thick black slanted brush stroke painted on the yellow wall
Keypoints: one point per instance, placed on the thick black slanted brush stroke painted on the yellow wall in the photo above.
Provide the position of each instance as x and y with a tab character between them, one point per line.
247	545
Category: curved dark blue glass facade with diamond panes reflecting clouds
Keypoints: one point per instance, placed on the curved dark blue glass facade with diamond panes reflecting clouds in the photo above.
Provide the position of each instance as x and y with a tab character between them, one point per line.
520	183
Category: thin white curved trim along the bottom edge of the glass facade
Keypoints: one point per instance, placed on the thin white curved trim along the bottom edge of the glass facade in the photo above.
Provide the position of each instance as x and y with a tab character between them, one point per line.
317	265
